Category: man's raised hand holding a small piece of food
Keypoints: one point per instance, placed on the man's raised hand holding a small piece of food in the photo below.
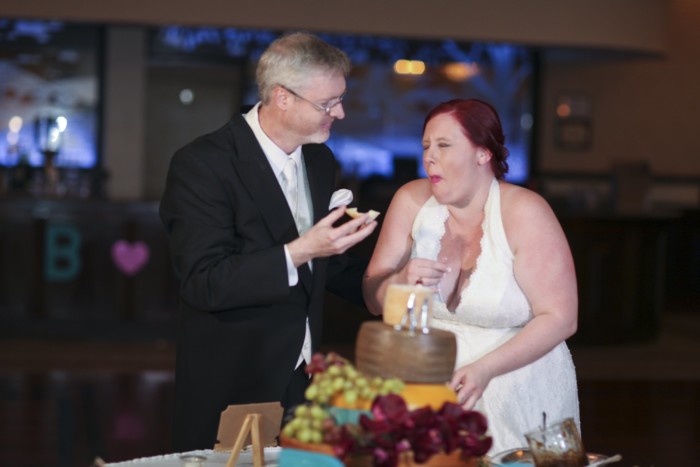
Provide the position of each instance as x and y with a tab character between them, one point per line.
323	239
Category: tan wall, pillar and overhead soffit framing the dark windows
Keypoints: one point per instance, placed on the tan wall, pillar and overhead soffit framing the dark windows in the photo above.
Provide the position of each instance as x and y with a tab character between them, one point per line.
630	61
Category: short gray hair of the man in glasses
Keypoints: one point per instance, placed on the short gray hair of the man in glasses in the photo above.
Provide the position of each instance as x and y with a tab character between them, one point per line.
291	58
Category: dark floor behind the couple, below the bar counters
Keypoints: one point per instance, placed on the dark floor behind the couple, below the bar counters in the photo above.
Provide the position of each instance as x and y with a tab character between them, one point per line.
63	404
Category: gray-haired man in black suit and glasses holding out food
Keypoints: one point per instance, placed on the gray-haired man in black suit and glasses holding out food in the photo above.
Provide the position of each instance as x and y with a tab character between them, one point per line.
254	245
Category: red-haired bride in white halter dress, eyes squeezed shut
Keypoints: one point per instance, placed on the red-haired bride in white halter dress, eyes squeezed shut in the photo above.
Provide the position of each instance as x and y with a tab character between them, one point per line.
501	268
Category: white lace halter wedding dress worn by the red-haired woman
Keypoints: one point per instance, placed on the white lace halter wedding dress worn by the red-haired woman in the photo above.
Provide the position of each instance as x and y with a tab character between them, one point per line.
491	310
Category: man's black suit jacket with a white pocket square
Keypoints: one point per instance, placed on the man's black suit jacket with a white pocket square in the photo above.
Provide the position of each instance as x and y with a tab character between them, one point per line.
241	327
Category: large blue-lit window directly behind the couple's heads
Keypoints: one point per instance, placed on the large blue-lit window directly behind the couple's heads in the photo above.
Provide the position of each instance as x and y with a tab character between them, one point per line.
385	119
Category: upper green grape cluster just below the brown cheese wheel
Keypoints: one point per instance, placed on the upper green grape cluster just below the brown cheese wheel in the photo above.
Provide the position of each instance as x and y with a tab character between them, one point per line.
334	376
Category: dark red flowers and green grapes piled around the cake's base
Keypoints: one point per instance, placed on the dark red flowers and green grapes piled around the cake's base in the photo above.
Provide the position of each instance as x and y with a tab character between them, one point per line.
389	431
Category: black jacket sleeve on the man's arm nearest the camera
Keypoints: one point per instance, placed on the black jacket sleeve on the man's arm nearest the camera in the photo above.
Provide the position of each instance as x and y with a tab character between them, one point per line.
220	258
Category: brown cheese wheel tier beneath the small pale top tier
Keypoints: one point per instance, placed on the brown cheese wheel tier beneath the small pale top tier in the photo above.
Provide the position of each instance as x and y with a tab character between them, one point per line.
413	356
